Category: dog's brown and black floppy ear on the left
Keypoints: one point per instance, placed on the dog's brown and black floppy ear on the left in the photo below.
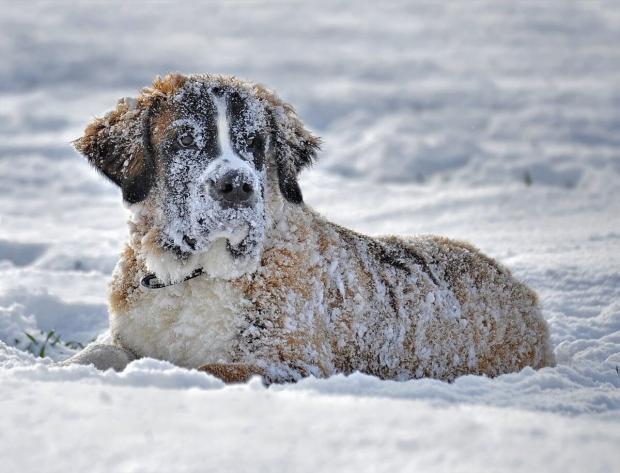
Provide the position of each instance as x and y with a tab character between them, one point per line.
117	145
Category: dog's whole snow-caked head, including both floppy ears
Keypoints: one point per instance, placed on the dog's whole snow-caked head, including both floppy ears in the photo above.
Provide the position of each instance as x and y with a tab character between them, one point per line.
200	160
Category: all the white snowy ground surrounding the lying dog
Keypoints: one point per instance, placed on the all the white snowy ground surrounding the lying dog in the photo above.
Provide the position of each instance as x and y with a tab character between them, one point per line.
494	122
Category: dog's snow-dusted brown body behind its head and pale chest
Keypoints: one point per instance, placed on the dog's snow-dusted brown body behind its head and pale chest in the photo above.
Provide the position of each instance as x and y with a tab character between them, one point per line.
337	301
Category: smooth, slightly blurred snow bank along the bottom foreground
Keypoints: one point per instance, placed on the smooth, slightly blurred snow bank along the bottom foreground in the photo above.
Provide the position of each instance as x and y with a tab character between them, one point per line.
253	429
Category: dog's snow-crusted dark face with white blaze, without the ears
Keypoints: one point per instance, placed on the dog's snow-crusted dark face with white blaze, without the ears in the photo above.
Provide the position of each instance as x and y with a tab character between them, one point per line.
209	145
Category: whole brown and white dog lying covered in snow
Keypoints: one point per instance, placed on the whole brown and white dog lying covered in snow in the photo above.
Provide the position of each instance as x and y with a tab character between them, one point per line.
228	271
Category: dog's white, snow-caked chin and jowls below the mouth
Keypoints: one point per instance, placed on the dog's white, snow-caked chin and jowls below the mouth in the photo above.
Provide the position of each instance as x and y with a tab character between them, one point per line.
222	259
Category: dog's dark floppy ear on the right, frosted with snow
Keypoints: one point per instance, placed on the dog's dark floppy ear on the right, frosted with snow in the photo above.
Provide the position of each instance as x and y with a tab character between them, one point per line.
294	146
